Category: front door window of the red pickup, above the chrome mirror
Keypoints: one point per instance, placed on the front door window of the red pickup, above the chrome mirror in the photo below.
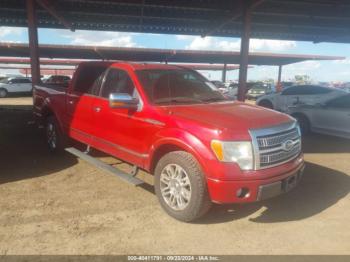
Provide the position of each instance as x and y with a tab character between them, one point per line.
117	81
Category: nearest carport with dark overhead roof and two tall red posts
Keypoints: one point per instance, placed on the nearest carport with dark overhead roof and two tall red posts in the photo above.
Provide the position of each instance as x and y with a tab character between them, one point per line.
306	20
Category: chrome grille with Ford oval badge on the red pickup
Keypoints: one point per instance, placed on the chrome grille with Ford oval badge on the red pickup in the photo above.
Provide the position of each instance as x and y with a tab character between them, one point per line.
276	145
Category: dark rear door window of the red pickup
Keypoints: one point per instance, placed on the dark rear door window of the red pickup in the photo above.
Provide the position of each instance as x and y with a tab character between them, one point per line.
89	79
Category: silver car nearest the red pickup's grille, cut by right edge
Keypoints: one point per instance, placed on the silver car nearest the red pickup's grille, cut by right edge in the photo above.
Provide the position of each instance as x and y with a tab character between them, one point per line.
331	117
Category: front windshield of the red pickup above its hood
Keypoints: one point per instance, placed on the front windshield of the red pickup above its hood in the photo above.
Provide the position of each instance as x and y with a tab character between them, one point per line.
178	86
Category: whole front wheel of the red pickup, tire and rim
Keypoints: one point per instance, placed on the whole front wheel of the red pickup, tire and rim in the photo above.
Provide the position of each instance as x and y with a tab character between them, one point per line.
181	187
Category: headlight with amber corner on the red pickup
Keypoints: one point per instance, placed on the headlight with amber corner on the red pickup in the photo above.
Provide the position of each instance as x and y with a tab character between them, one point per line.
238	152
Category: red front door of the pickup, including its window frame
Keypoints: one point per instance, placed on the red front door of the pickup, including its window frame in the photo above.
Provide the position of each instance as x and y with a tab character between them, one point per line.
121	132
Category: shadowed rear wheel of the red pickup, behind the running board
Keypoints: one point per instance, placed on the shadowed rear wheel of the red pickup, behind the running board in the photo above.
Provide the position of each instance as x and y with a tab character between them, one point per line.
55	139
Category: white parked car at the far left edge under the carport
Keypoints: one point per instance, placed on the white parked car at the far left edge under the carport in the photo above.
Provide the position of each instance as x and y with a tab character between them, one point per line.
11	85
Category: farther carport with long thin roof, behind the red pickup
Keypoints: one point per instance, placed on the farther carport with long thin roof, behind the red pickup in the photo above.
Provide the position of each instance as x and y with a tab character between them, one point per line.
207	59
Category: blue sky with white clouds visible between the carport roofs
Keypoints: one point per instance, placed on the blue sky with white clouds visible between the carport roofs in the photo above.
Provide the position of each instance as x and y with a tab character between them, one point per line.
319	71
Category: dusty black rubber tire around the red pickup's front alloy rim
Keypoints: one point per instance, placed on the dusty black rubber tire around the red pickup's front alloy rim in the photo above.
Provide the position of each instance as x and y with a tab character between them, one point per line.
199	203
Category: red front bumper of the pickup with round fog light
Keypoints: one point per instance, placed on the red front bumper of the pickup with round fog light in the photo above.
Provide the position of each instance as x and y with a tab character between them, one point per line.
244	191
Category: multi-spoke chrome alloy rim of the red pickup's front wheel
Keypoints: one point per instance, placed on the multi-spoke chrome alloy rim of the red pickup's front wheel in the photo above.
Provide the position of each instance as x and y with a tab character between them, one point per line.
175	187
